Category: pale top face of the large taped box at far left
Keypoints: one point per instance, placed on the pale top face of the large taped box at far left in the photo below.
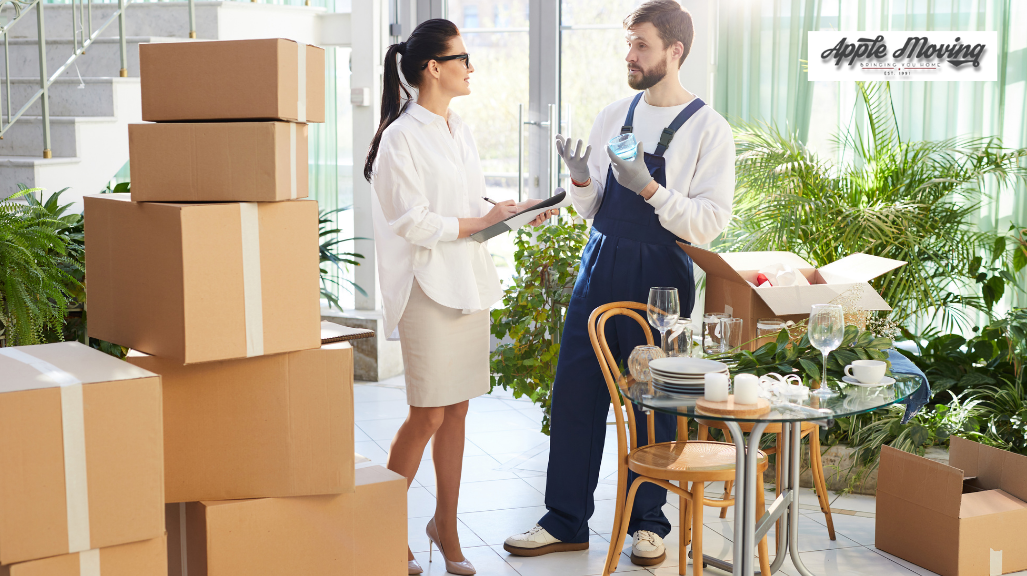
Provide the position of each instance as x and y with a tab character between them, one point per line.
83	363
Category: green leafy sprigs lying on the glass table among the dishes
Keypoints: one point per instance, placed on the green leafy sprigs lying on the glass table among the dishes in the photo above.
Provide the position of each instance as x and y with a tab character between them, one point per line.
787	357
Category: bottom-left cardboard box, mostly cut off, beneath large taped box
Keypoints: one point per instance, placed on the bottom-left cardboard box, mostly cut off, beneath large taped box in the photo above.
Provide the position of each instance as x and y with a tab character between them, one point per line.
148	558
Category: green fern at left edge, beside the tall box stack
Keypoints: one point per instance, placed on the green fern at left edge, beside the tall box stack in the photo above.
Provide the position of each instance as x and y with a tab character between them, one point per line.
36	270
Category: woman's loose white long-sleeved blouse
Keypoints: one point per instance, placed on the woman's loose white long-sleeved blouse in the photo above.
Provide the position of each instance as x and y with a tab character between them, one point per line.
428	176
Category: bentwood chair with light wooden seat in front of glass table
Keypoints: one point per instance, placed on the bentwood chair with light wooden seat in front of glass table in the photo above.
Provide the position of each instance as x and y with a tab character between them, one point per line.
691	465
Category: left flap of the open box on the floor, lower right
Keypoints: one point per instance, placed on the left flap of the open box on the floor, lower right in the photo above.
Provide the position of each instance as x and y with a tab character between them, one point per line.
921	481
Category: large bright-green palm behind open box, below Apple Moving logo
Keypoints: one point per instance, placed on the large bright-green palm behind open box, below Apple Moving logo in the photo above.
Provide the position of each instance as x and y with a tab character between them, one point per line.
909	201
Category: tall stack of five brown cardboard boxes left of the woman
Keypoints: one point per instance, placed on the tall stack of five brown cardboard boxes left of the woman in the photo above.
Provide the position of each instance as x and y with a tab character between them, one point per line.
210	274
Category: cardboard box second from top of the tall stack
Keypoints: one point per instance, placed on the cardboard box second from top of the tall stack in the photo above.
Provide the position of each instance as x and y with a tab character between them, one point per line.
218	162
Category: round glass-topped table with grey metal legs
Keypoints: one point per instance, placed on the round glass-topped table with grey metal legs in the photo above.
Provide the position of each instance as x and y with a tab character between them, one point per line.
748	529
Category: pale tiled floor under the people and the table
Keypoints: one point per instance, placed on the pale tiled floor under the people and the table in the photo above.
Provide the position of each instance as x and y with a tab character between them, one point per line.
504	494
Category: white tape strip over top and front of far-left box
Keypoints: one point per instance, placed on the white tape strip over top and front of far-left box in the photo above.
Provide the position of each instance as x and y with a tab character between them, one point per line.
73	425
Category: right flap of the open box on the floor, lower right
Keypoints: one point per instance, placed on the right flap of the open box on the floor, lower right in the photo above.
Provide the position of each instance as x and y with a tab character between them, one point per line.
995	469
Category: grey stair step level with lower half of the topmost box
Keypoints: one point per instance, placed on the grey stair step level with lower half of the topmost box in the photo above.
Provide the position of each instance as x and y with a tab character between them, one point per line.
71	97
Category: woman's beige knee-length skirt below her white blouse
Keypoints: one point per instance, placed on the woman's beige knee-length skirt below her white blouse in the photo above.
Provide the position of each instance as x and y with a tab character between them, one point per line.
445	352
